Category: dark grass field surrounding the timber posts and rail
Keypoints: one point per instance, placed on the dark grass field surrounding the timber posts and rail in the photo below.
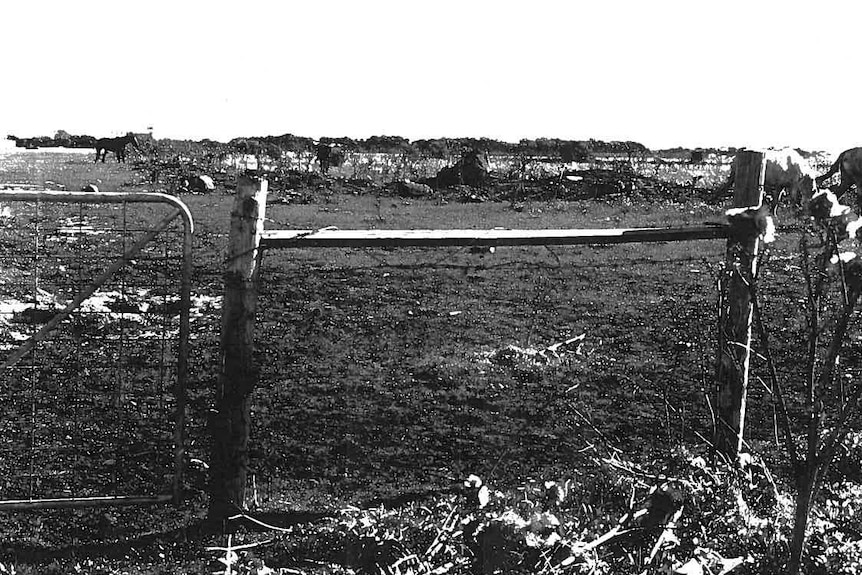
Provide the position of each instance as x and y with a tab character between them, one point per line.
390	376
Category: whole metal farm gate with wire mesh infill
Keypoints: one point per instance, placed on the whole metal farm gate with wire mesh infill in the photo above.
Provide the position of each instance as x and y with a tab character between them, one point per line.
94	324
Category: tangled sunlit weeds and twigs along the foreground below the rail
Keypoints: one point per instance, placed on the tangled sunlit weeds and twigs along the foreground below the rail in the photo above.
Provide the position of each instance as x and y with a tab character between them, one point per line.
683	516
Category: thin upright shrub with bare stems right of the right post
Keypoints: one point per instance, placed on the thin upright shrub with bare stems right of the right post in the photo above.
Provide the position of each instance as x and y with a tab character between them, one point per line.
832	279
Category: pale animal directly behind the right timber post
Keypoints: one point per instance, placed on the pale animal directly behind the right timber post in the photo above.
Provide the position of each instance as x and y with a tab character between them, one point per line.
787	172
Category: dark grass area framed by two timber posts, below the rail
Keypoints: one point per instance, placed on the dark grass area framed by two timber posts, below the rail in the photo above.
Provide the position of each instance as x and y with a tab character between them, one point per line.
397	371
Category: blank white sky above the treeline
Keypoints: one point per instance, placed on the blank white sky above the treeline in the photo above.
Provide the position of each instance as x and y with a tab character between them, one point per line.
665	73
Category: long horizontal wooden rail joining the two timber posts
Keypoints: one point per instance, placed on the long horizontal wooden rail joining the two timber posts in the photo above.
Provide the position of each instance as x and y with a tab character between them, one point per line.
494	237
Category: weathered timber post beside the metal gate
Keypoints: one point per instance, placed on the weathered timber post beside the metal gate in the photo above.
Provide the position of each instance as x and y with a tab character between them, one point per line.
238	377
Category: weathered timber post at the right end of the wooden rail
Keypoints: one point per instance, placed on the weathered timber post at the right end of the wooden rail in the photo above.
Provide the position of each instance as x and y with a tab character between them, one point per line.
735	314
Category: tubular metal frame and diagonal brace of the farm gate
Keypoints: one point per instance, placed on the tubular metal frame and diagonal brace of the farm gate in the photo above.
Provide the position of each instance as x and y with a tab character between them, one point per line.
182	212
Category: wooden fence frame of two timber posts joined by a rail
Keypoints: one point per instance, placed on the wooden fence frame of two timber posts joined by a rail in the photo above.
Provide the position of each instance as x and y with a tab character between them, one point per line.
247	241
